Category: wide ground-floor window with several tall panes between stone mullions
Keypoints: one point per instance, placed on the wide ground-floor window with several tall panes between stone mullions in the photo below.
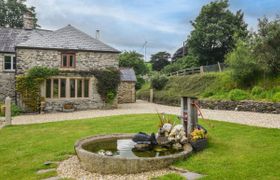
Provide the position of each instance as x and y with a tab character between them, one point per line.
77	88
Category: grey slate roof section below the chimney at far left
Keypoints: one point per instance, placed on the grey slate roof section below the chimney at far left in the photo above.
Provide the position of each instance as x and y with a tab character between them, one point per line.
9	37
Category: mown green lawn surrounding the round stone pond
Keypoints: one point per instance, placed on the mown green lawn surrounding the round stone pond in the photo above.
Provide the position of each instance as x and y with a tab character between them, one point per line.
234	152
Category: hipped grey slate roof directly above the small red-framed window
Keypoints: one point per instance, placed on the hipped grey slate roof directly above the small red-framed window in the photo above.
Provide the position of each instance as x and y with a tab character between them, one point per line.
67	38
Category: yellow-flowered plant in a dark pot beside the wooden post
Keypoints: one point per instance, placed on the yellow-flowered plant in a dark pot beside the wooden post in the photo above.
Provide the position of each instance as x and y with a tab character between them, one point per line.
199	139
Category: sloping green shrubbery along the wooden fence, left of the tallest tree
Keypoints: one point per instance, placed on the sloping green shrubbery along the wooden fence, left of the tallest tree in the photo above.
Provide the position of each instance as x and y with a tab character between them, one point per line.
181	63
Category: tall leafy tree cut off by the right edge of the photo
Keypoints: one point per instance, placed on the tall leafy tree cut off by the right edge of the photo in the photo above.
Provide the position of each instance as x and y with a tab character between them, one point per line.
267	49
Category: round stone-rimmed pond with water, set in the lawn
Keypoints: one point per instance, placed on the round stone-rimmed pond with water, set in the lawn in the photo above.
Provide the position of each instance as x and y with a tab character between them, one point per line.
124	159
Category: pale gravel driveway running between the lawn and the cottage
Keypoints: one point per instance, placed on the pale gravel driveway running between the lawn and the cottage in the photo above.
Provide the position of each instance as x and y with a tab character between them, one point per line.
143	107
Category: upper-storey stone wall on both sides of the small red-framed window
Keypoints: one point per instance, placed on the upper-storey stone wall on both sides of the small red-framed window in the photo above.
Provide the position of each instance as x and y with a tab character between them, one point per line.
28	58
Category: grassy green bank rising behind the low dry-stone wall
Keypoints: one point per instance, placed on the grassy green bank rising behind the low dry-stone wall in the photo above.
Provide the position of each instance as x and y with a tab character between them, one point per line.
213	86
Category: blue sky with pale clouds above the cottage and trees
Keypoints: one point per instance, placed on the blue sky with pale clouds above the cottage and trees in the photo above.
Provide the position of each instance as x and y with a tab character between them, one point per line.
127	24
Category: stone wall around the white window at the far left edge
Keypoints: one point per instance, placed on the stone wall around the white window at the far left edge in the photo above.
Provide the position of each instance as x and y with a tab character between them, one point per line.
7	82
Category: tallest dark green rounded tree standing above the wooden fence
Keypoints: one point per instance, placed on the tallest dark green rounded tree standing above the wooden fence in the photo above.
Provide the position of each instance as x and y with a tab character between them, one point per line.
214	32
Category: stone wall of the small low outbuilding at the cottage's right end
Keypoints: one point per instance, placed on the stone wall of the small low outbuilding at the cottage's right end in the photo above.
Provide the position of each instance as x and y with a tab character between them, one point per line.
126	92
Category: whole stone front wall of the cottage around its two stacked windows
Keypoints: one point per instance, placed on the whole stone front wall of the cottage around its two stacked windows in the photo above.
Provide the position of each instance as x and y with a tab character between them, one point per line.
85	61
